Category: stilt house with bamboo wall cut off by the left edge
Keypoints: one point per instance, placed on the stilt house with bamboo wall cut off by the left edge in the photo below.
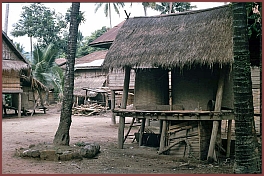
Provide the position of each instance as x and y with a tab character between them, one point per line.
19	89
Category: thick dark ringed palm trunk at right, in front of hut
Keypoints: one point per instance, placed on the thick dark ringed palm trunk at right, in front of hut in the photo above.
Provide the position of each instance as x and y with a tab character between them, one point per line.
245	146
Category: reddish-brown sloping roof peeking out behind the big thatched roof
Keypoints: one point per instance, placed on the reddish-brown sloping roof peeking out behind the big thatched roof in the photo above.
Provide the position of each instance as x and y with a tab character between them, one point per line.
105	40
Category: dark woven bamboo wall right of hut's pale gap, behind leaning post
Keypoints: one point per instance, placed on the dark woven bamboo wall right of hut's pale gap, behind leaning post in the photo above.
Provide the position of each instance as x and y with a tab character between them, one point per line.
195	87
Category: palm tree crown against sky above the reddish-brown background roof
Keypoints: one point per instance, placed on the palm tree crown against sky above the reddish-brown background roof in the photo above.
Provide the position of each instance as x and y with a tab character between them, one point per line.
107	8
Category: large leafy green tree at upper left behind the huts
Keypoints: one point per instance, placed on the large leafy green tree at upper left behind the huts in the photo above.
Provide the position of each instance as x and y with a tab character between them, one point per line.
40	22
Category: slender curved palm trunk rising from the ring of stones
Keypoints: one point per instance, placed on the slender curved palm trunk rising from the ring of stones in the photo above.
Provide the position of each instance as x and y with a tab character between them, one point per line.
62	136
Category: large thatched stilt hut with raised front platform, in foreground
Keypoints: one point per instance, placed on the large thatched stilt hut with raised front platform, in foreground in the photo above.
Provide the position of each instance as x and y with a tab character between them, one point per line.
183	78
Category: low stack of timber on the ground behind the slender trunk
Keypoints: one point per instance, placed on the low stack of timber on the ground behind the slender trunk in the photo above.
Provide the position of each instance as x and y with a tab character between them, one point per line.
88	110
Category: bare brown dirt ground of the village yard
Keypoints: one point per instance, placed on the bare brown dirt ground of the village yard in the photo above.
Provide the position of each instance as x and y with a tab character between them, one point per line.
22	132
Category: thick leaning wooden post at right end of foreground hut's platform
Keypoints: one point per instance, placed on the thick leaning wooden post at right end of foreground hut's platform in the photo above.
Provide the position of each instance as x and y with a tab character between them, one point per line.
218	104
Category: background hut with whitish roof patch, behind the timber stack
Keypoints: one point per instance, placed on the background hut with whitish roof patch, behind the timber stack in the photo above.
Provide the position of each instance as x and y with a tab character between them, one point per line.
89	78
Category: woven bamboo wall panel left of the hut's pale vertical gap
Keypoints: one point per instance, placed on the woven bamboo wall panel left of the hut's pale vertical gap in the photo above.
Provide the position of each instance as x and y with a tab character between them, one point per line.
151	87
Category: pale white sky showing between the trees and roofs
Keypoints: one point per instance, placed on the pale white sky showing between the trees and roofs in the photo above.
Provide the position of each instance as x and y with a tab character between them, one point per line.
94	21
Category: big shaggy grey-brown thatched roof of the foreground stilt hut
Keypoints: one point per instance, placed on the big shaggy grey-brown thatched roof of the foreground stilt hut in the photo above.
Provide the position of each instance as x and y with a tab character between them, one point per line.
175	40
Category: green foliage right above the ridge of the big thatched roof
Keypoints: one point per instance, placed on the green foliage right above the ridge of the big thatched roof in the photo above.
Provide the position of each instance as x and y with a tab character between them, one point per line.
164	7
